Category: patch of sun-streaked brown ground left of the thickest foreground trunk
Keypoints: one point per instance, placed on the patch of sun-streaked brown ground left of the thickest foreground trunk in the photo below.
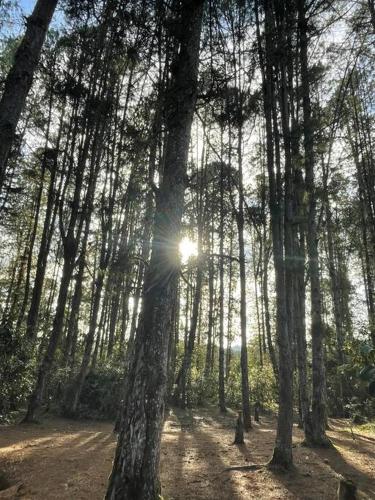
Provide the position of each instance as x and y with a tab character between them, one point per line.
57	458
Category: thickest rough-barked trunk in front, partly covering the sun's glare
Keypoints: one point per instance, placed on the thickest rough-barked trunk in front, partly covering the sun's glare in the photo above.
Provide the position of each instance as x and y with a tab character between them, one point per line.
135	471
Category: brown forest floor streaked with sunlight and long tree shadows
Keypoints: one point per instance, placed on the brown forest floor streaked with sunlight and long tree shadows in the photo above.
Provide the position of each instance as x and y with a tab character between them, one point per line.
65	459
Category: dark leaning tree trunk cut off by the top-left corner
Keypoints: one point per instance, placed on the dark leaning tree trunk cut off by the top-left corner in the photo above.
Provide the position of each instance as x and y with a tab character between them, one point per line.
20	76
